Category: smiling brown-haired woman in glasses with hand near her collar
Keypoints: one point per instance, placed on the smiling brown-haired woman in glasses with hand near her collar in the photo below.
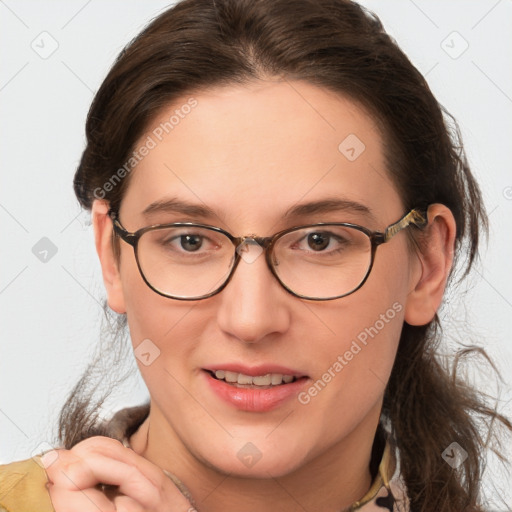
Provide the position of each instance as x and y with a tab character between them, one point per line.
277	207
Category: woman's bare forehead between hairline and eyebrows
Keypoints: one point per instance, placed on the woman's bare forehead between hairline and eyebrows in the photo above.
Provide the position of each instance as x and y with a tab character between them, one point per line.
261	148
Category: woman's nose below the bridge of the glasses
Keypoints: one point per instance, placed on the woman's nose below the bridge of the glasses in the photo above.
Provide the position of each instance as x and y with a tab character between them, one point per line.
253	306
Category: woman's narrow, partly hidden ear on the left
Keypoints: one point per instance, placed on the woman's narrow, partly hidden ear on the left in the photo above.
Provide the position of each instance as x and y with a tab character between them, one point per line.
103	229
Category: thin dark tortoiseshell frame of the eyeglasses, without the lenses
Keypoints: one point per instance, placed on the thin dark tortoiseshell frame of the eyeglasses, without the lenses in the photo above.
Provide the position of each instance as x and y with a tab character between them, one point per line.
415	217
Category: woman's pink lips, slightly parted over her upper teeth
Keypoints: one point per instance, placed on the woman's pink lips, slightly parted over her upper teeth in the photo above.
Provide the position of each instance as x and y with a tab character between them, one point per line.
250	399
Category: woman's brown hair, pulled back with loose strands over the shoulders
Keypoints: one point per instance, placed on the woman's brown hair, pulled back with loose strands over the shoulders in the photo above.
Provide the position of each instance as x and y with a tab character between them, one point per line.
340	46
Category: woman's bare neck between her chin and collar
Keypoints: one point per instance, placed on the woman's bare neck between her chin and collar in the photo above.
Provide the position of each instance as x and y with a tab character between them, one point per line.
329	483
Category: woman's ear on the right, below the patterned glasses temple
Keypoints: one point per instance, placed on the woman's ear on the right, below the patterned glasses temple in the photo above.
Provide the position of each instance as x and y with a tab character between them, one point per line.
435	255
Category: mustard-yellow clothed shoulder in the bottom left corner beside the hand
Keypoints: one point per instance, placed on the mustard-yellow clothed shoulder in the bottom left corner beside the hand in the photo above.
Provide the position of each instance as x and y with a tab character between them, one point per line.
23	487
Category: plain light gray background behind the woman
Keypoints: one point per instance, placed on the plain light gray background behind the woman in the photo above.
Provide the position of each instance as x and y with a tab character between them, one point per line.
50	311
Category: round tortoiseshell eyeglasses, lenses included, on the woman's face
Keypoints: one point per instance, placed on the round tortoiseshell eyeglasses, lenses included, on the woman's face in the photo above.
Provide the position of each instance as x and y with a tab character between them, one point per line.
324	261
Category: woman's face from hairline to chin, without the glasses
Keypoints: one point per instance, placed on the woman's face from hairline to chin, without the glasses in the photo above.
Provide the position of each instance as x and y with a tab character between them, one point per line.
250	154
